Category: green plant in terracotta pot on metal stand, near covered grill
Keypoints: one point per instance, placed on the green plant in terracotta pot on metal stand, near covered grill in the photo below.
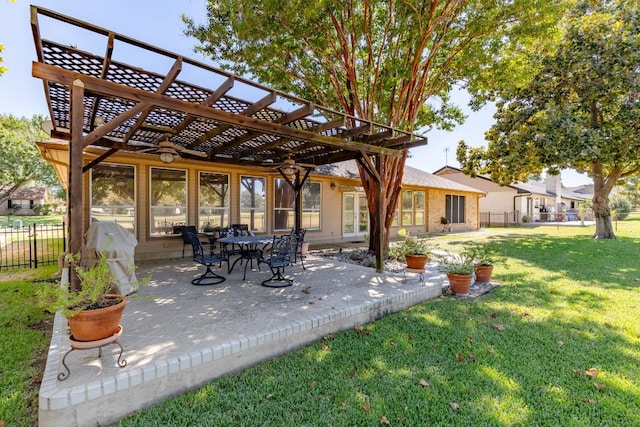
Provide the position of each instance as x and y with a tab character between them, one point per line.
92	311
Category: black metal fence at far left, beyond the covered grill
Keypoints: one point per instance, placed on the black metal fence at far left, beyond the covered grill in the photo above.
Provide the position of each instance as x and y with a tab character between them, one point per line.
32	245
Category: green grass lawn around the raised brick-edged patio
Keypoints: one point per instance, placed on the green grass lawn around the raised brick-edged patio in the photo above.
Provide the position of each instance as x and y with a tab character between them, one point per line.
557	344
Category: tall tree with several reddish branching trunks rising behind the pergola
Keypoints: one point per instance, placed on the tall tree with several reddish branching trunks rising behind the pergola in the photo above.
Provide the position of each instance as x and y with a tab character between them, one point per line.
391	61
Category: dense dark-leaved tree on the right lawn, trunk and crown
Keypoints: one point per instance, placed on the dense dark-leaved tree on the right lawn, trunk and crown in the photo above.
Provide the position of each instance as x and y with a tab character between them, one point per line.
581	111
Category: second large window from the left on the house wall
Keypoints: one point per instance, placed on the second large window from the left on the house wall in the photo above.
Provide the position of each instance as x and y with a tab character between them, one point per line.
168	206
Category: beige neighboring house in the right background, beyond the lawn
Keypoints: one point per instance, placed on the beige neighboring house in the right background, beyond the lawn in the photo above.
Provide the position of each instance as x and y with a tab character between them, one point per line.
521	202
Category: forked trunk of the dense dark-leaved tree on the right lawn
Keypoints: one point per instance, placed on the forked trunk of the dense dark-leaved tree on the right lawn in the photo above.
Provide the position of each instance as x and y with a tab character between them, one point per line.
602	187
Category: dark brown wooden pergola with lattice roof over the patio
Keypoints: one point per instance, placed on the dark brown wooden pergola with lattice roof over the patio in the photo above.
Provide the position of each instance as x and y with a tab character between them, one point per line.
96	101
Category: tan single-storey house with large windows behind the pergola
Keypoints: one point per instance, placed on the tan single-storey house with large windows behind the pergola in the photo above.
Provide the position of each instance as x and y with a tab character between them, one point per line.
152	198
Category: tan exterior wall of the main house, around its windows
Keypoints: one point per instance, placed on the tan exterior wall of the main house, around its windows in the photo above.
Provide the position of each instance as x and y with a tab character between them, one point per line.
170	246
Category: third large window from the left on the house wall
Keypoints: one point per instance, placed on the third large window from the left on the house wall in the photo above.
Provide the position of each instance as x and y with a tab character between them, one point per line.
213	200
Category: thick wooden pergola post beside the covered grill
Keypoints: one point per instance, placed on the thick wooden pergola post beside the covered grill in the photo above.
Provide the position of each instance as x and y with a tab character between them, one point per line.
74	196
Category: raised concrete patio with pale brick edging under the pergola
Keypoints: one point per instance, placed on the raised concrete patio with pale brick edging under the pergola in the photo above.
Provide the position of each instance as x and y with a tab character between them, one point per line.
177	336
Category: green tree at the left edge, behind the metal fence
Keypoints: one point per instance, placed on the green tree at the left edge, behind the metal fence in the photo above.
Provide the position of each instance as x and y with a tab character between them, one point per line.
20	161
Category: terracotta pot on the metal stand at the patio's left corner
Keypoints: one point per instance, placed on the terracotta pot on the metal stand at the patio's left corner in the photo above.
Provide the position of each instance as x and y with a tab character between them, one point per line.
94	325
